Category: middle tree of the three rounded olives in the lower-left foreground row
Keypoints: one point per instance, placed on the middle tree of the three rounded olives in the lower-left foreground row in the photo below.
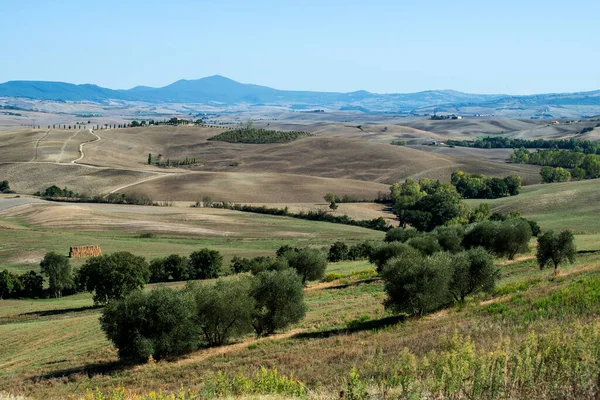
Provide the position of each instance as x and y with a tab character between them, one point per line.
223	309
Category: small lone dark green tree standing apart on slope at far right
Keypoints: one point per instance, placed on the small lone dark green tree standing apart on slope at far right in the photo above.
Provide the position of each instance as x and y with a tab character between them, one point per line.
556	249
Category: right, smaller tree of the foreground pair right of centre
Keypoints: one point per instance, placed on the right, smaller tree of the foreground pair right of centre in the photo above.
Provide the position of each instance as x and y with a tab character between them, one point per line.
473	271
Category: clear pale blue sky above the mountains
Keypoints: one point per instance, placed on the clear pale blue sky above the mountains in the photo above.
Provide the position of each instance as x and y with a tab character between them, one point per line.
514	47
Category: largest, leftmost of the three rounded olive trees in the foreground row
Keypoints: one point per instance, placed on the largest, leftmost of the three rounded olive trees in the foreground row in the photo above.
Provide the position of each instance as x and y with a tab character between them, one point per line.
158	324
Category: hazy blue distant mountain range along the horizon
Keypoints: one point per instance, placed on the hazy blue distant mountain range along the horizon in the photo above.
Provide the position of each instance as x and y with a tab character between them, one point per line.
220	90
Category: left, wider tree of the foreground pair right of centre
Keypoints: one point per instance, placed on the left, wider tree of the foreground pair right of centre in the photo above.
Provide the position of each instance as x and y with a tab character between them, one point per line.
417	285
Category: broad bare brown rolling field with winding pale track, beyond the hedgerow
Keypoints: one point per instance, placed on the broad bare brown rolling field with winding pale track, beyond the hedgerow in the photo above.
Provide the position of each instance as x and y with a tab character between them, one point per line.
339	158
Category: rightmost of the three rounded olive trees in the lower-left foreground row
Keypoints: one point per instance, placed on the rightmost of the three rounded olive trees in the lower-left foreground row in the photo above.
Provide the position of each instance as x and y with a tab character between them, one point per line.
279	301
